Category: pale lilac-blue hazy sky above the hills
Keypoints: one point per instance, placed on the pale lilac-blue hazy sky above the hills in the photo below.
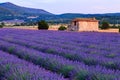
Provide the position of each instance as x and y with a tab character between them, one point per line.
71	6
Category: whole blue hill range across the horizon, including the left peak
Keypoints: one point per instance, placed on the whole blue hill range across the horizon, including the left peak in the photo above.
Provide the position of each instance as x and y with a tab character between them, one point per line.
10	11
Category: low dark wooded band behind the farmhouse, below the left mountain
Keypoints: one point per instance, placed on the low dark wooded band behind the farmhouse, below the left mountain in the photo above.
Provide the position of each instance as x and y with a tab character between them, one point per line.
65	18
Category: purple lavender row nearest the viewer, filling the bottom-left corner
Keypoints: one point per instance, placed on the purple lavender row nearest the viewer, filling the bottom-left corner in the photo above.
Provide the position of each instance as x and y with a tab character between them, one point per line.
12	68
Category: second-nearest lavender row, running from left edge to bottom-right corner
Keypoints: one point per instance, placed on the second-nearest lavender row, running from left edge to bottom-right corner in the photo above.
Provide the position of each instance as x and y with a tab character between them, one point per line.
75	70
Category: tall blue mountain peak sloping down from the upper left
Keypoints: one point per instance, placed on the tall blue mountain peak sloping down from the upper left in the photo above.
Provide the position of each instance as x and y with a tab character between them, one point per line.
12	9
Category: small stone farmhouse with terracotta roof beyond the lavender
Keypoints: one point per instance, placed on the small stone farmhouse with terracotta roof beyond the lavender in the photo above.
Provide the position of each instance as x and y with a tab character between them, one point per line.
84	24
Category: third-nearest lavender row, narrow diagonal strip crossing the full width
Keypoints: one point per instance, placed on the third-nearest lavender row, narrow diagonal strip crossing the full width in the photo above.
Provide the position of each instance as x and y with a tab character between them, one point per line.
88	59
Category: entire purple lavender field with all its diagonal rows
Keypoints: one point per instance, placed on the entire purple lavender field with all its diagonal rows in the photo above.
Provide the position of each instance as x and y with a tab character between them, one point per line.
59	55
